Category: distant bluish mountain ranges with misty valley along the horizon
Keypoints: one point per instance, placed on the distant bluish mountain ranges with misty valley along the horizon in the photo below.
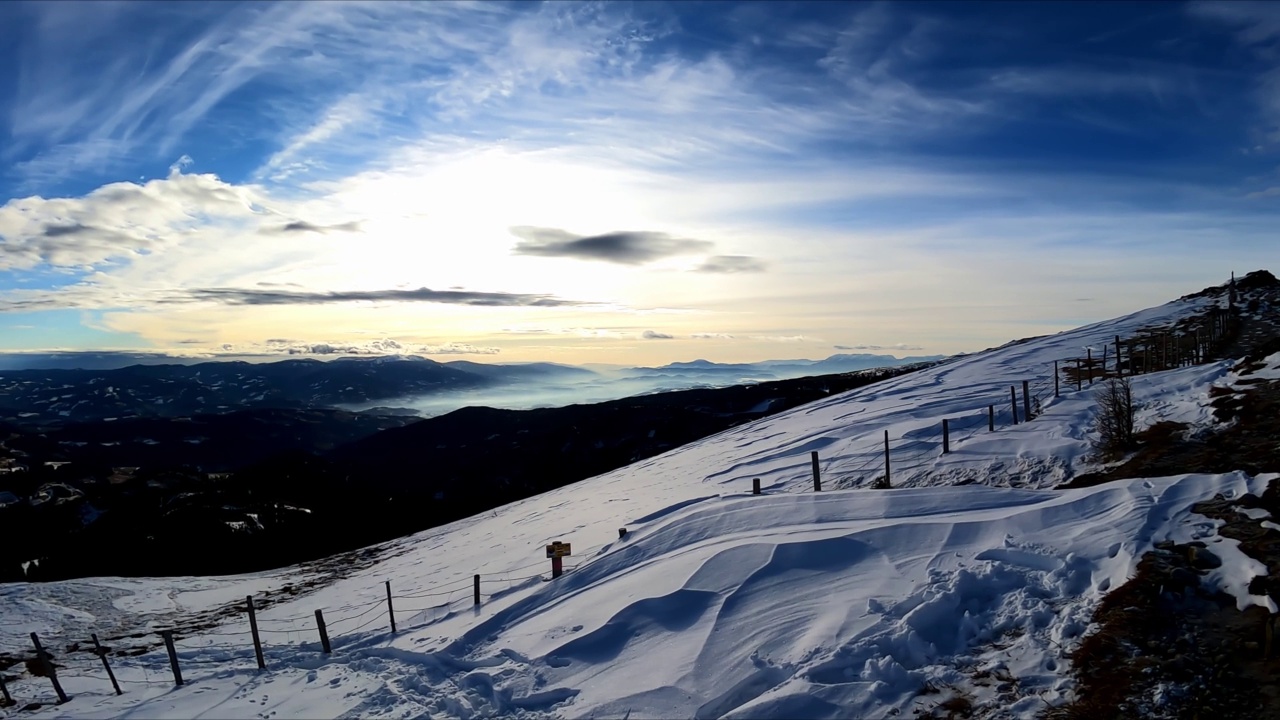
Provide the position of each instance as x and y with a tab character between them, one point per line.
61	397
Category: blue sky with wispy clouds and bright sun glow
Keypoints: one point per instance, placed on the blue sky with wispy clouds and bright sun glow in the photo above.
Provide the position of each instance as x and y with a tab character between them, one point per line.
623	183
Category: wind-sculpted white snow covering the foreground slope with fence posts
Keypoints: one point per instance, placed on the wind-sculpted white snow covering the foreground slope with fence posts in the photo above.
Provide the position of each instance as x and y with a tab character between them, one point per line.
716	603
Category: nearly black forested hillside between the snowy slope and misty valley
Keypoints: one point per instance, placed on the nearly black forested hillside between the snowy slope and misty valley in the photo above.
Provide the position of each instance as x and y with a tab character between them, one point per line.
99	516
